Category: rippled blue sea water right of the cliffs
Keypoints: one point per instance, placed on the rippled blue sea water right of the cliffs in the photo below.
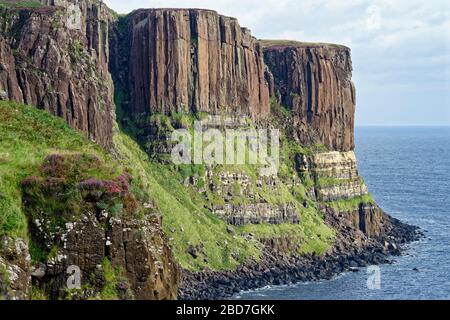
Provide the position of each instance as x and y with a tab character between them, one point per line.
407	170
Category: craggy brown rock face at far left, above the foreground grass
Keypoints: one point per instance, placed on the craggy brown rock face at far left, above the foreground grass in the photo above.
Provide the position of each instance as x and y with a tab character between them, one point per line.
56	58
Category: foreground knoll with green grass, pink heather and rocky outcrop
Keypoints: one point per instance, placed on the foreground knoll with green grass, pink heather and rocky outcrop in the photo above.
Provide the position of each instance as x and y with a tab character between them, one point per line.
52	179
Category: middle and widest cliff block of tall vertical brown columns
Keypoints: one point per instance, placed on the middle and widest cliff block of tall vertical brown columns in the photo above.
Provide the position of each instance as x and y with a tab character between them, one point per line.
190	60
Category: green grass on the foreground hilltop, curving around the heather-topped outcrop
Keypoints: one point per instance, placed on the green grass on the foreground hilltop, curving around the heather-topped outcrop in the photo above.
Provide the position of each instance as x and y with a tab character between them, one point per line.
27	136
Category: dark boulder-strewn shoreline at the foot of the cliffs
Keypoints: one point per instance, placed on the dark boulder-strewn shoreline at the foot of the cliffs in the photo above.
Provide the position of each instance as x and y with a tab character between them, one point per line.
276	268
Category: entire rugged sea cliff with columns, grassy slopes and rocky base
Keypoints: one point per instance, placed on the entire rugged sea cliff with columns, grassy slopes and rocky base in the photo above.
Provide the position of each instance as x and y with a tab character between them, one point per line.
103	195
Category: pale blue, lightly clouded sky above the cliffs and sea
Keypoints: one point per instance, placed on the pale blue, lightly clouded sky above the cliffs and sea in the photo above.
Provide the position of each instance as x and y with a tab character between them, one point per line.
400	48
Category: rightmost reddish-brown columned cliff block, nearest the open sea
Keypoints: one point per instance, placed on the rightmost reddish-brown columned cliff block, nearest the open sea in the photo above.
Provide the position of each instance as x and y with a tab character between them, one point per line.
314	81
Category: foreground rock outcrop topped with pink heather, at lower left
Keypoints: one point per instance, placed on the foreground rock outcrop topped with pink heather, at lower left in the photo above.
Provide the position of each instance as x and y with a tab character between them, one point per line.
92	222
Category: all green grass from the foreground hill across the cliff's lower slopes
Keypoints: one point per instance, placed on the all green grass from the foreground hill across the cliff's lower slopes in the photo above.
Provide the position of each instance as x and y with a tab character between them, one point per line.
27	135
